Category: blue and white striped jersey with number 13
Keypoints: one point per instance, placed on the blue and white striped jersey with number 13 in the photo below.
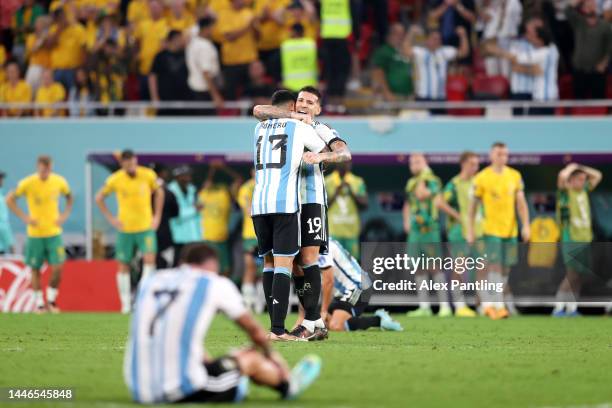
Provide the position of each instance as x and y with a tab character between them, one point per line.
279	146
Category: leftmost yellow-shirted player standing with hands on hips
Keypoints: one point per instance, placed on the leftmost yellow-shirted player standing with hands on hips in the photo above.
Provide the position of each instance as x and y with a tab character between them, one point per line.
43	191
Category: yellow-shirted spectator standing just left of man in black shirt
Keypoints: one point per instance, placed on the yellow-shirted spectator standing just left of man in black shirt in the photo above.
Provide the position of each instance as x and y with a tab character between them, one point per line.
149	35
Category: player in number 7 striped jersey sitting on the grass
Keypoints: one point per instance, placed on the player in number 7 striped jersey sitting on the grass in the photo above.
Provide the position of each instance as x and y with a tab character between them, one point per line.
165	360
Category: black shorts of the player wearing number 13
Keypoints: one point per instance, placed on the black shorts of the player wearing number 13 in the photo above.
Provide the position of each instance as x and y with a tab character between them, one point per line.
278	233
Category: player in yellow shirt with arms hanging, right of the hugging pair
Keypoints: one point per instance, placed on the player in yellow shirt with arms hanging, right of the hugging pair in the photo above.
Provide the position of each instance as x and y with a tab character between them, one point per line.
500	190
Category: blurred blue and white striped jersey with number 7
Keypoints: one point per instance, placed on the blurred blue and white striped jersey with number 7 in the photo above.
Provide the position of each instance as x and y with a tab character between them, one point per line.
165	350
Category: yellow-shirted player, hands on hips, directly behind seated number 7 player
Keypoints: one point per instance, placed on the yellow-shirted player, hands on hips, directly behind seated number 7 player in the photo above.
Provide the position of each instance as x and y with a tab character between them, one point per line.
137	218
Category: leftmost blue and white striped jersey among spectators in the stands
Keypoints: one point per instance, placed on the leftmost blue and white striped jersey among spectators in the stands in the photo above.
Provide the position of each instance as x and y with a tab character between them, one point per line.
431	71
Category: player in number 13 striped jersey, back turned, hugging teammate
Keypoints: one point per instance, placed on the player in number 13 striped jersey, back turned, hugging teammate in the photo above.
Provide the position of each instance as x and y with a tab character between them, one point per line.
279	151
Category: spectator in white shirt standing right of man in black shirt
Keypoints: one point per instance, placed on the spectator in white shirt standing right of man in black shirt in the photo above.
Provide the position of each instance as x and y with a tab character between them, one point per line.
203	65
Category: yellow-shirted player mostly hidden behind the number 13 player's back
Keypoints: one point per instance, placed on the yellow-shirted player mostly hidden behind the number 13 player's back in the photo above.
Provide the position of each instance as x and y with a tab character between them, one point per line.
249	242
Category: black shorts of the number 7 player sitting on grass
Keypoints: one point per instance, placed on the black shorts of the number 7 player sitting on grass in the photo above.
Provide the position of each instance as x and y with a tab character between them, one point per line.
223	382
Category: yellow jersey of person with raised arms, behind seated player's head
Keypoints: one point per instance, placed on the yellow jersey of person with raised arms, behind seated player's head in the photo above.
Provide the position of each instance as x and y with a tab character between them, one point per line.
217	203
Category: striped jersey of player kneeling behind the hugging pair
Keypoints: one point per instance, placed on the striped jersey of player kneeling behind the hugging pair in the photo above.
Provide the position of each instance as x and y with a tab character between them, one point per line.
349	279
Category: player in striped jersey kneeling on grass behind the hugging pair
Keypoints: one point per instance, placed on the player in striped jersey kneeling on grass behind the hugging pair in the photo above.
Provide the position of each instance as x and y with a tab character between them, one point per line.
351	297
